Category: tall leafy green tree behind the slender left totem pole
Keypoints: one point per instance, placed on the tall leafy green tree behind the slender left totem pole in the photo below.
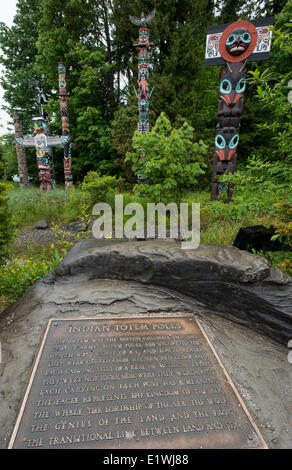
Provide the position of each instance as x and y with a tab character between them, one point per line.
76	32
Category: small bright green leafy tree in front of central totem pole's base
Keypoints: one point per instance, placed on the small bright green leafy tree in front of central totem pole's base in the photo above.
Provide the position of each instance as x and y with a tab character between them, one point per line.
171	159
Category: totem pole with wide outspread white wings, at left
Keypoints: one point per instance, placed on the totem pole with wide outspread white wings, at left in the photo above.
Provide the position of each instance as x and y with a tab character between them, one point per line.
42	141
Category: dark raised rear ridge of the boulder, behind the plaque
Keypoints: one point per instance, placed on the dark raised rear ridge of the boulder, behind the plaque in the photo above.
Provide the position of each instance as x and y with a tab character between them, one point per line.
238	284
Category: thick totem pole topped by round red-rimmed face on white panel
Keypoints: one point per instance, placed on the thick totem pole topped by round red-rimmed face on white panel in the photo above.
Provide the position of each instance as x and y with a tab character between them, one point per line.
233	45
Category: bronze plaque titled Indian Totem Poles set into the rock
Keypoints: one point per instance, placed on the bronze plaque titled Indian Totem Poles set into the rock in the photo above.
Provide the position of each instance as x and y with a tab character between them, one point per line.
126	383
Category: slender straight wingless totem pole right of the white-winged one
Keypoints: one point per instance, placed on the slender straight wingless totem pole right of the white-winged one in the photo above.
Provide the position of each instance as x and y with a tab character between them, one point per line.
65	124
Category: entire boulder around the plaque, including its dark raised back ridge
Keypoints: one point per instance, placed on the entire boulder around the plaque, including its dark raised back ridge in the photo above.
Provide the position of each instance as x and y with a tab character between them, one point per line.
78	288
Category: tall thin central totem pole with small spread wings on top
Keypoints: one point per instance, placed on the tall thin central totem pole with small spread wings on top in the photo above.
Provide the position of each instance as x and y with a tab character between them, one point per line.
143	94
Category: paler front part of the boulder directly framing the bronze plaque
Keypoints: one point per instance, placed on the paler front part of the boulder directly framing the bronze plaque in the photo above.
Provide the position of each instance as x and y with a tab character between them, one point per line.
257	365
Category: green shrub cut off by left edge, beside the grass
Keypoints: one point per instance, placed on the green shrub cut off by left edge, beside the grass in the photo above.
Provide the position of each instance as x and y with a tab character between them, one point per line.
7	227
